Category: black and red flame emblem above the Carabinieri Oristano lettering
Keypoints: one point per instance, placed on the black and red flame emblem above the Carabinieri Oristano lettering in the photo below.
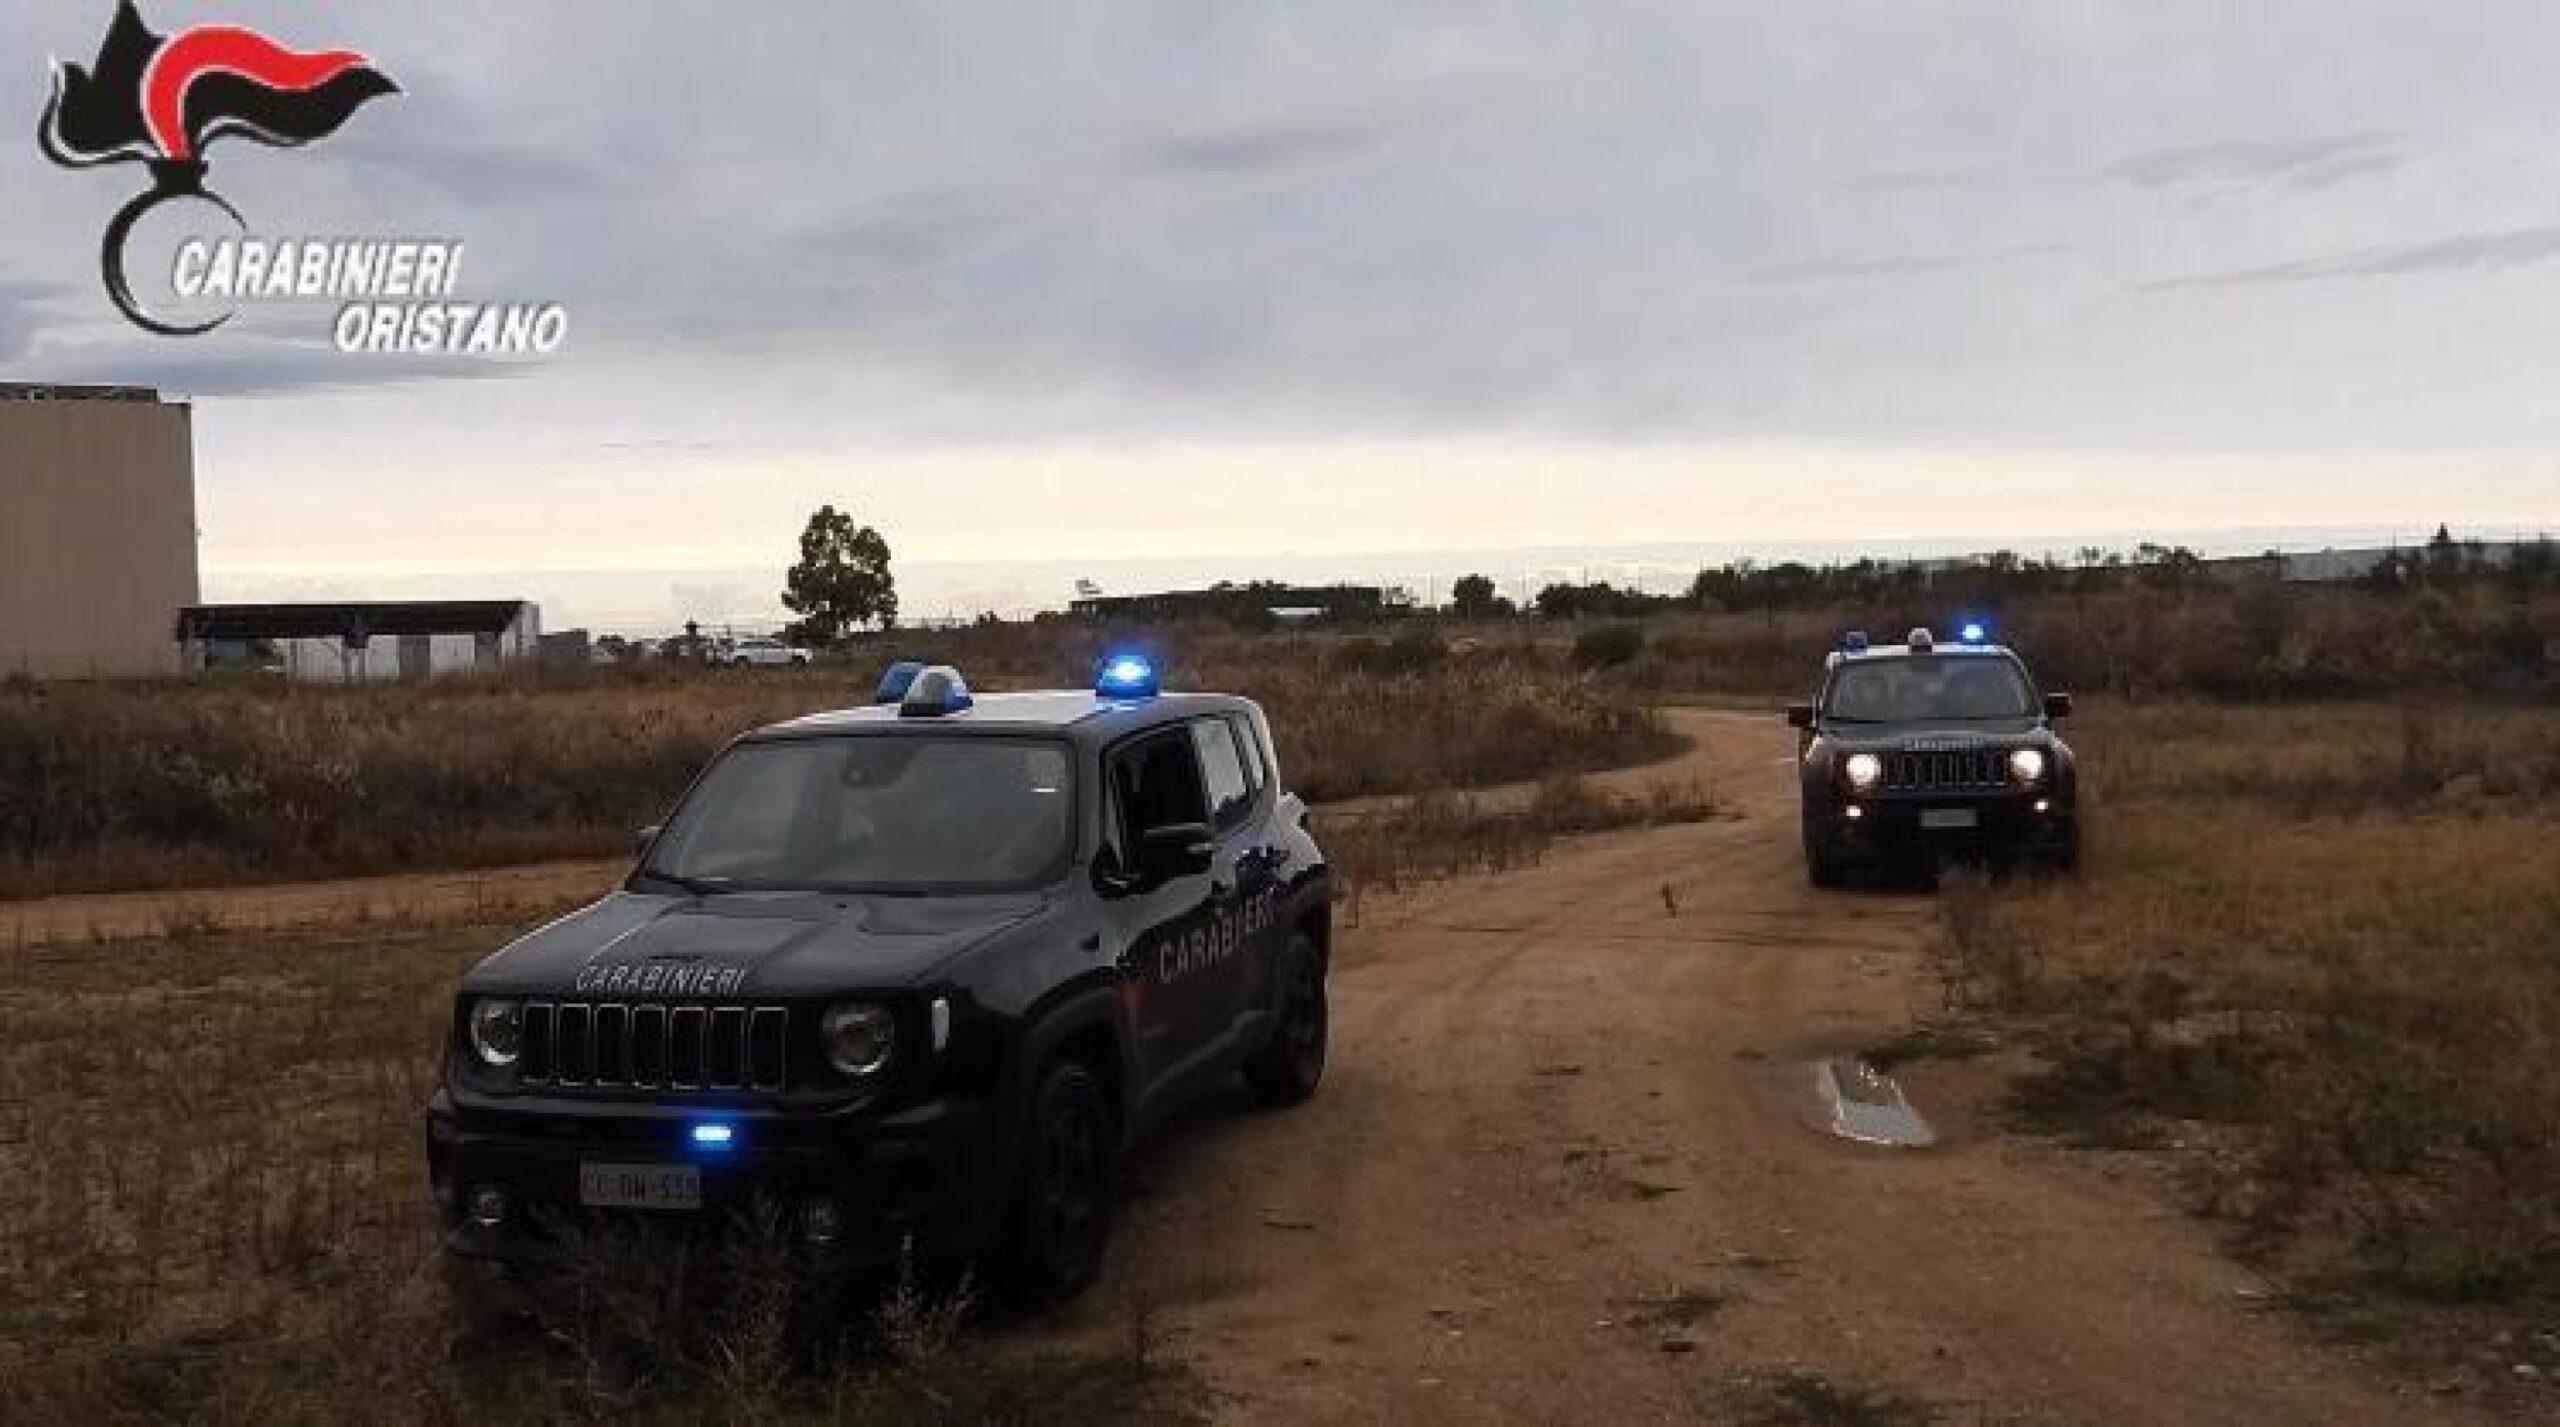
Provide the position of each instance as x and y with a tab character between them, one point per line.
163	101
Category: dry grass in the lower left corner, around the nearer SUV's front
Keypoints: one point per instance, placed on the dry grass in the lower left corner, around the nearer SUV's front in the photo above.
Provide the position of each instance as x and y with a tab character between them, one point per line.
221	1218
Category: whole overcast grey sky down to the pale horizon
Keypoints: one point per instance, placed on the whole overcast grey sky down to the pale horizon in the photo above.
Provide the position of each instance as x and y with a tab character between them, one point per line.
1076	283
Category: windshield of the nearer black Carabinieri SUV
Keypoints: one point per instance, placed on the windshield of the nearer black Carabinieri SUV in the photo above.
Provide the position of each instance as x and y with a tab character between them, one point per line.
872	813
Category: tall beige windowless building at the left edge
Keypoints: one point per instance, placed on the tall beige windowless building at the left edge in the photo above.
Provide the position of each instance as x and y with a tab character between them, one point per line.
96	532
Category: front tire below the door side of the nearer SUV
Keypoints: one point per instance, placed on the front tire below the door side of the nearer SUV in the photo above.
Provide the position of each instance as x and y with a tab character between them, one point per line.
1066	1190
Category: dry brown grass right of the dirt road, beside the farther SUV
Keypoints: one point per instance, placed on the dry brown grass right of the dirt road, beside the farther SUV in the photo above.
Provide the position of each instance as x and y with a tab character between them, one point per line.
2323	949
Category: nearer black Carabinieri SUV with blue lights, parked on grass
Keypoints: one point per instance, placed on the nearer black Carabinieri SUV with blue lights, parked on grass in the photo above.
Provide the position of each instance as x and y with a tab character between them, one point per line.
905	977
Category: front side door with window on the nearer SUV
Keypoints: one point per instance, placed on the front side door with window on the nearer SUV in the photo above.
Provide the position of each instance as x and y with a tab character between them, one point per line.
1166	924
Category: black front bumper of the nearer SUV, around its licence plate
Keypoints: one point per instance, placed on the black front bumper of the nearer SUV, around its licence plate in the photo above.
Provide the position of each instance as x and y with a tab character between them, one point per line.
923	1177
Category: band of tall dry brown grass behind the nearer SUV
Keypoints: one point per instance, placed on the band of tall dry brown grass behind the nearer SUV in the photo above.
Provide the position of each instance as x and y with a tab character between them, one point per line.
224	783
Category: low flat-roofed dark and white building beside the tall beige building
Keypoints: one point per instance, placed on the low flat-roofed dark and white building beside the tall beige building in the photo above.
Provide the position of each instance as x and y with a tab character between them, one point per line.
349	644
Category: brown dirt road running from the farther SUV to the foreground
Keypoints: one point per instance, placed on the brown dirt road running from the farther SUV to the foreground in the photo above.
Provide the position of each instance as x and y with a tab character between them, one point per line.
1542	1182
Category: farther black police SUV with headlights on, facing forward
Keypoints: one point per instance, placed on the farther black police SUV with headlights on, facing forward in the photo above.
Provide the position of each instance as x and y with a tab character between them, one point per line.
1926	749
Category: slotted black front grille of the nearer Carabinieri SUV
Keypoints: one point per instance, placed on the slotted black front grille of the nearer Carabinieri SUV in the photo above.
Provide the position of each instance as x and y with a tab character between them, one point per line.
608	1044
